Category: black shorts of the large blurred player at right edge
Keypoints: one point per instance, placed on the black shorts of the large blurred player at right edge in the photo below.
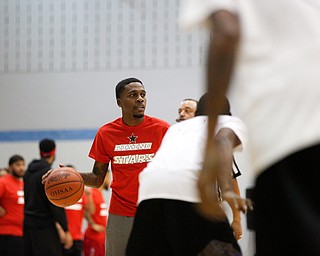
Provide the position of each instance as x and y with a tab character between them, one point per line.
287	206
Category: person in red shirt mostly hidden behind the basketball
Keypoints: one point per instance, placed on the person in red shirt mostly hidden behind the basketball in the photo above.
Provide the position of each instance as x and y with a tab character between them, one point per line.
75	215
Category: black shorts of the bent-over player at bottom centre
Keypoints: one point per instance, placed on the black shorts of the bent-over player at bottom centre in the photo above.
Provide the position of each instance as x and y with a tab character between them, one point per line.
172	227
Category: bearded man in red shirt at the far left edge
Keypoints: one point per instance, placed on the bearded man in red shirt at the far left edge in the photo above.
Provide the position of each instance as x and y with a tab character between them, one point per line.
11	208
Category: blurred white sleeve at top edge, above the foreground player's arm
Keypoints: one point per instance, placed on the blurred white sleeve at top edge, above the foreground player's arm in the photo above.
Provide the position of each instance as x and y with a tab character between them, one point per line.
197	12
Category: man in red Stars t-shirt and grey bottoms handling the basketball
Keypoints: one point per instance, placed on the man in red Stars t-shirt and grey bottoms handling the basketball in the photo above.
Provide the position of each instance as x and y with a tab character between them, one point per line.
128	144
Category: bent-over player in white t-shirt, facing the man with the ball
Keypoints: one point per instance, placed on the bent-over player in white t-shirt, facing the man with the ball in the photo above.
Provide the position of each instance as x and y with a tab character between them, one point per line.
167	222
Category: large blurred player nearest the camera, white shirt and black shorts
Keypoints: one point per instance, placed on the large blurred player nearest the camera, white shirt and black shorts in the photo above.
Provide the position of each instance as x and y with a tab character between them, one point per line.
269	65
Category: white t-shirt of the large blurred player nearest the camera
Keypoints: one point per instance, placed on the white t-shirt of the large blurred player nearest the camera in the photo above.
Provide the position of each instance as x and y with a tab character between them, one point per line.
275	87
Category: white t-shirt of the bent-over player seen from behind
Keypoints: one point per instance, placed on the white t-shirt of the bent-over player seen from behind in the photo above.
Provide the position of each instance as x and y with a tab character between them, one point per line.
173	172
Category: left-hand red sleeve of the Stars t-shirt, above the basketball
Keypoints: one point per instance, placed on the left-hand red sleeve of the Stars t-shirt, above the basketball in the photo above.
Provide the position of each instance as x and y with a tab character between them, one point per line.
98	149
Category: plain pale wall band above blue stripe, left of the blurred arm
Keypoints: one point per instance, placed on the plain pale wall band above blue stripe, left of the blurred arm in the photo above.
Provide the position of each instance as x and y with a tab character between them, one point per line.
87	100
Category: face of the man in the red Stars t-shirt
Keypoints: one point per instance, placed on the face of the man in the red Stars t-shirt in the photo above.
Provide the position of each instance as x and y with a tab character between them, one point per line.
133	101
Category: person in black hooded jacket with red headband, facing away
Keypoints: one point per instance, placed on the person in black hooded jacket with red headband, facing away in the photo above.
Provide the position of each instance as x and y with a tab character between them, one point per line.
40	215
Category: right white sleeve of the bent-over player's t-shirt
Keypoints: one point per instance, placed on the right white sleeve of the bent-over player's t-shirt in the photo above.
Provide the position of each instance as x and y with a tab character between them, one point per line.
237	126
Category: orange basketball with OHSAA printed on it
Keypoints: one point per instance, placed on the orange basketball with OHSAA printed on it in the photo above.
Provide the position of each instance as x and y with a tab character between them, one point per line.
64	186
